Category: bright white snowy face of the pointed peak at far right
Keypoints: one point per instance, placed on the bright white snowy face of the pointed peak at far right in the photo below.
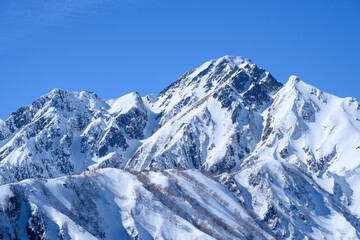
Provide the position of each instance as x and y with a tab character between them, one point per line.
319	129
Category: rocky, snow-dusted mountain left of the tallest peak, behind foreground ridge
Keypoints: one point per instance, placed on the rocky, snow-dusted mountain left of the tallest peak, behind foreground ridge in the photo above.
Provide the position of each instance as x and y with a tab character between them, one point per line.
65	132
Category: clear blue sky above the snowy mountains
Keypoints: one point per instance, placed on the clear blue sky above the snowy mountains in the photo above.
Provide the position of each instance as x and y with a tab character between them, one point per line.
114	47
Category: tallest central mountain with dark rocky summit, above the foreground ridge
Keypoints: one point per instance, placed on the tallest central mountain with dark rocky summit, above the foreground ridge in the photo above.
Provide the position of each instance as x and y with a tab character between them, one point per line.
210	117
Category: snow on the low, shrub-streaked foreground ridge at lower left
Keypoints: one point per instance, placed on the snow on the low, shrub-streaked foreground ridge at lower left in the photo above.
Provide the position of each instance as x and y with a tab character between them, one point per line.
124	207
